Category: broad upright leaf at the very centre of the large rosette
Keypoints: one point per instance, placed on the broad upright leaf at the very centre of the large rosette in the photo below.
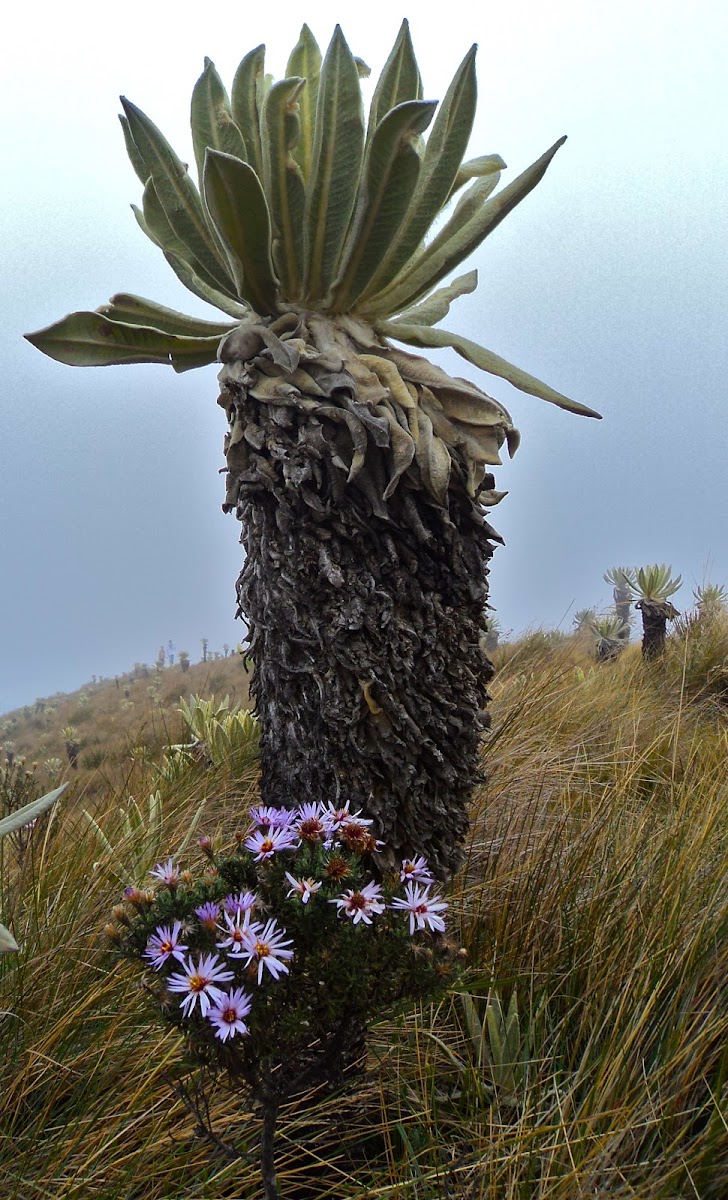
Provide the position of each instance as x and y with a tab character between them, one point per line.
336	166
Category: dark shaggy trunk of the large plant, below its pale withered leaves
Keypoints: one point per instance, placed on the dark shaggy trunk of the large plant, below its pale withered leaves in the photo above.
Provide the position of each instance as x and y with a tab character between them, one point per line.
365	626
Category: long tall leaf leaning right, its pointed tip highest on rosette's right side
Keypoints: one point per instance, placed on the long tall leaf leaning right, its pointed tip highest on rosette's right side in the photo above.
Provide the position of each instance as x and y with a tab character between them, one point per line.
443	158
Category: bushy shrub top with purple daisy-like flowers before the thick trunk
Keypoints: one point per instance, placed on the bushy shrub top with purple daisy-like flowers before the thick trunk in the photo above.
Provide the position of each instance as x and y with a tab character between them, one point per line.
287	934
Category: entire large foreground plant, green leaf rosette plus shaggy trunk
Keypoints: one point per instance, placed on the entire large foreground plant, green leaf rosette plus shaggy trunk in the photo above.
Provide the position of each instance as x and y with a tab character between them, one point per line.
362	472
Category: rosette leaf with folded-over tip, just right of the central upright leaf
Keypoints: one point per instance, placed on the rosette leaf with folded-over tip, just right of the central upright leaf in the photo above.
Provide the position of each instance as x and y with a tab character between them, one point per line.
390	178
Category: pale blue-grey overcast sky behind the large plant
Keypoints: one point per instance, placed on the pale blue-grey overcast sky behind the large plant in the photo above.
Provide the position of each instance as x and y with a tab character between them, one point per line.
610	281
